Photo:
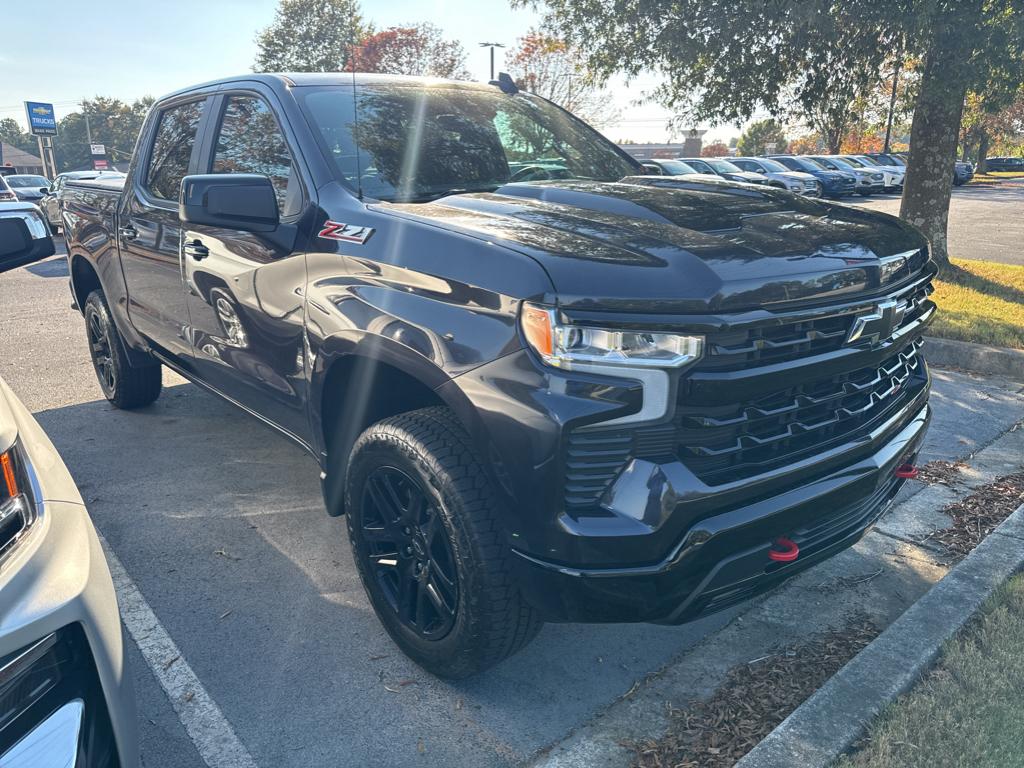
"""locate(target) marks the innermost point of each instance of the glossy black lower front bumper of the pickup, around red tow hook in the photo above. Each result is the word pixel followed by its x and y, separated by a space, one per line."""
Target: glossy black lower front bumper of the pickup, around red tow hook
pixel 723 560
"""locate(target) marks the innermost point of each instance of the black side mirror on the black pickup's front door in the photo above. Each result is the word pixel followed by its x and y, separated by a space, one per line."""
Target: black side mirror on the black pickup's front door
pixel 234 201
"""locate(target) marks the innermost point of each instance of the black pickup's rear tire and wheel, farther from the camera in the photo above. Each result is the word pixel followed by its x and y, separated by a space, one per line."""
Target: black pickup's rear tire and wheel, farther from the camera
pixel 125 386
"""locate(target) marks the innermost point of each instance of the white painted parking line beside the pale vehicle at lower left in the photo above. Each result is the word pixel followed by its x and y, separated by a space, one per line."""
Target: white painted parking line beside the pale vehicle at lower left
pixel 203 720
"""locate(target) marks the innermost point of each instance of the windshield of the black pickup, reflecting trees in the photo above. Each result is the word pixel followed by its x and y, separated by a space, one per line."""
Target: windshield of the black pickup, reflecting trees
pixel 414 144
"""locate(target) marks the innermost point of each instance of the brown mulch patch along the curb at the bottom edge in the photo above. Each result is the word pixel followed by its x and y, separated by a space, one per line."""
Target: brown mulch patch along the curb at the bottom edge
pixel 753 700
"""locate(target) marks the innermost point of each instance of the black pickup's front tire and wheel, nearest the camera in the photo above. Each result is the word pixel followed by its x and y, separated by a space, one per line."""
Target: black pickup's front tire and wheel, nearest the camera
pixel 423 522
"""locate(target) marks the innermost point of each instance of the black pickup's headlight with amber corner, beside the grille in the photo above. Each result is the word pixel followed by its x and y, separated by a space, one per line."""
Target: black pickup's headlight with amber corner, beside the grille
pixel 569 347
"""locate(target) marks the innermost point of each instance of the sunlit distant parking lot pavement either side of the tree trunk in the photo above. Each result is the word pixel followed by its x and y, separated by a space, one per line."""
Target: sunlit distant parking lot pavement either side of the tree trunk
pixel 986 221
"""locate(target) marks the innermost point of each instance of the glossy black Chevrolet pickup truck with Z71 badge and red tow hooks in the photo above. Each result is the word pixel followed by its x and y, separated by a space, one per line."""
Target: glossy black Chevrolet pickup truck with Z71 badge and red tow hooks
pixel 540 385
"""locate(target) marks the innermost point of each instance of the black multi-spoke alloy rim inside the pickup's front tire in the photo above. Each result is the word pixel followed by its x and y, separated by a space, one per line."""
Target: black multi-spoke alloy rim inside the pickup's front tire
pixel 410 552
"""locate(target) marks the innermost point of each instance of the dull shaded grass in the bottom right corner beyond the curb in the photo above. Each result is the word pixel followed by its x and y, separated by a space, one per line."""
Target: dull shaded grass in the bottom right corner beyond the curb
pixel 969 711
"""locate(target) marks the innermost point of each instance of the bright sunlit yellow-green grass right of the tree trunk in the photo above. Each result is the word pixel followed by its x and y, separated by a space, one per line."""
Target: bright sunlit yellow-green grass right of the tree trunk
pixel 984 303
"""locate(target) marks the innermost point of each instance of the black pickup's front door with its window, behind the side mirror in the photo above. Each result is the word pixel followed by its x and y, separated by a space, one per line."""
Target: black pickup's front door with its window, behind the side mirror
pixel 244 289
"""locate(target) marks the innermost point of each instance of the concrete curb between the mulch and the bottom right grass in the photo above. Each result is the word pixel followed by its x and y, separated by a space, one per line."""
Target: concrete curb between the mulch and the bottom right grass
pixel 836 716
